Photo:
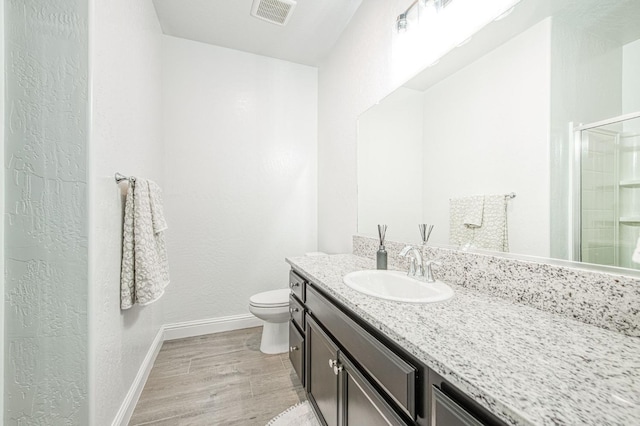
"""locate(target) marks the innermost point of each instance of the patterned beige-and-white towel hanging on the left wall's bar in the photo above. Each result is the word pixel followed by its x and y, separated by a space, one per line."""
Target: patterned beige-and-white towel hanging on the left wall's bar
pixel 145 269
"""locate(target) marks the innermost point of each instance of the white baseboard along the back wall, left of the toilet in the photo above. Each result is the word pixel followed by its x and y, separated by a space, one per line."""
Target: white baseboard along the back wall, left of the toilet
pixel 210 325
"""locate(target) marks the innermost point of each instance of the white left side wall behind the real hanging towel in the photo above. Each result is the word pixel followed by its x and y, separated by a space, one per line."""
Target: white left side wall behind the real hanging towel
pixel 126 137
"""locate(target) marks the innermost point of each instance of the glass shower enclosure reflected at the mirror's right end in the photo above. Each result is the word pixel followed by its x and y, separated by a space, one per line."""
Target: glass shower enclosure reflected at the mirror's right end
pixel 607 212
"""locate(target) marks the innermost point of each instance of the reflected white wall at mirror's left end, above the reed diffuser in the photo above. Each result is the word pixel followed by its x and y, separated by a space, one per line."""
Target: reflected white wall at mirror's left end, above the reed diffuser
pixel 390 146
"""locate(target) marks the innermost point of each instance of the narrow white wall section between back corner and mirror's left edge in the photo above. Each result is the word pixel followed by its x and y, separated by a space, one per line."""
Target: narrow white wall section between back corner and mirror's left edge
pixel 356 74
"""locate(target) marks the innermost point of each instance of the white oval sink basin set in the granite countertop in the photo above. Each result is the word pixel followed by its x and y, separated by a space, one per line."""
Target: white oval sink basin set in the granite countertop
pixel 395 285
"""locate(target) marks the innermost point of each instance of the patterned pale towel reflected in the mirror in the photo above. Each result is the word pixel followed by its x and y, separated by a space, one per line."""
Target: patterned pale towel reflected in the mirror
pixel 491 235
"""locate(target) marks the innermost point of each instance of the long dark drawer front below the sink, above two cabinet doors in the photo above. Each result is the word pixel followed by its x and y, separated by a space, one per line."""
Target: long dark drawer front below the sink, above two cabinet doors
pixel 388 370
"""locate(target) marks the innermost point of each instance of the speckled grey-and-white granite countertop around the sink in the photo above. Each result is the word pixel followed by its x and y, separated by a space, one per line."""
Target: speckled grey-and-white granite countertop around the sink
pixel 527 366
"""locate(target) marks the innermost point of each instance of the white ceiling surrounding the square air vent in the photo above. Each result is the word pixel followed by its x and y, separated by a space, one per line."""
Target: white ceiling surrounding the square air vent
pixel 311 32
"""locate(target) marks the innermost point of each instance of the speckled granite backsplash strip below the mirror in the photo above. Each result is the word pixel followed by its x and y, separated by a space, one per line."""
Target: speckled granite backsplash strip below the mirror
pixel 605 300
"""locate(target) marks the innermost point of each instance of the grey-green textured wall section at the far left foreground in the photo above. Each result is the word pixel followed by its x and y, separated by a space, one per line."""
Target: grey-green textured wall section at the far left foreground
pixel 45 212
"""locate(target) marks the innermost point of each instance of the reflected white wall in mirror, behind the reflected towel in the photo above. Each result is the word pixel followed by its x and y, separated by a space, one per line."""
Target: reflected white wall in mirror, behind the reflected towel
pixel 486 131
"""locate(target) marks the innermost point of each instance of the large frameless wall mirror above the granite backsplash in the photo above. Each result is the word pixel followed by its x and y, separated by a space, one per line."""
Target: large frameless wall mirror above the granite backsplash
pixel 543 104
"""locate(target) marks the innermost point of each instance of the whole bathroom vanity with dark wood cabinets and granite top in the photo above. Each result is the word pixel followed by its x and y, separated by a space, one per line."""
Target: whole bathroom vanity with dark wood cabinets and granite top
pixel 472 360
